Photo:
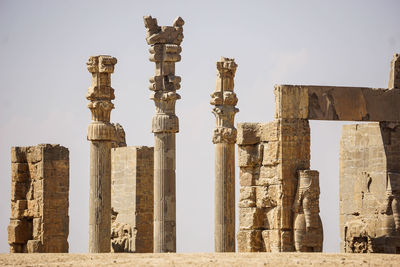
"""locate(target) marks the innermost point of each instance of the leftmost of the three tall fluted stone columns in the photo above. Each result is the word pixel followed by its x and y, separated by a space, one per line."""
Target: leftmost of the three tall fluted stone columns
pixel 100 134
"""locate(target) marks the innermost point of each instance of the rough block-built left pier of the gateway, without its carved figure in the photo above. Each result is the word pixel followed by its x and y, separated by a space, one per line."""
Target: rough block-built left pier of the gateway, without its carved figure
pixel 270 155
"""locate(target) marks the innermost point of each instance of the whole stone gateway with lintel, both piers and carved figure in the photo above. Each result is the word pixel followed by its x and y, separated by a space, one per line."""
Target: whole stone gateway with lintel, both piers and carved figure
pixel 274 161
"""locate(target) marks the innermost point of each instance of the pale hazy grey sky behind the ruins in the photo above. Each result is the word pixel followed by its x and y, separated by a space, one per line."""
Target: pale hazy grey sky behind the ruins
pixel 44 46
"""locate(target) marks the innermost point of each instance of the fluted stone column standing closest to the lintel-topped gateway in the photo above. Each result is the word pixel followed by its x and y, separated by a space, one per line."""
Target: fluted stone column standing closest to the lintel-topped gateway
pixel 224 139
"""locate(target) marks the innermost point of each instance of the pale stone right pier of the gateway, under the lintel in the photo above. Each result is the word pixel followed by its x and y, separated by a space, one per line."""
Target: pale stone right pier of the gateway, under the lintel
pixel 370 188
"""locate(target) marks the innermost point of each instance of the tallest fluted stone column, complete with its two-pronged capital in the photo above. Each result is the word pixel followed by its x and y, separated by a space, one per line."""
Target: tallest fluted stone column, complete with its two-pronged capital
pixel 164 50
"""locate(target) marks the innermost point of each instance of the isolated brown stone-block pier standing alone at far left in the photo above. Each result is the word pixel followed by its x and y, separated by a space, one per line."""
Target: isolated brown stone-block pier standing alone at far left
pixel 39 219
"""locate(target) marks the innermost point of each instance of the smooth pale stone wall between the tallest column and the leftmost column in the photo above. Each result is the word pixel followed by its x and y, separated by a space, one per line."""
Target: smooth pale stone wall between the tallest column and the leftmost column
pixel 132 199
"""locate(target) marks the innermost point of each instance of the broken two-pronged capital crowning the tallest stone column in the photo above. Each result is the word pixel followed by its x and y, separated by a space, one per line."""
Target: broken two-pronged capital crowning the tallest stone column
pixel 163 34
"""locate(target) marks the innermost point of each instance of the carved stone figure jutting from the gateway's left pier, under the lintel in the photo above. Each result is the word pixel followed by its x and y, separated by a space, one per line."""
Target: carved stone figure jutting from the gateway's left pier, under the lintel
pixel 308 233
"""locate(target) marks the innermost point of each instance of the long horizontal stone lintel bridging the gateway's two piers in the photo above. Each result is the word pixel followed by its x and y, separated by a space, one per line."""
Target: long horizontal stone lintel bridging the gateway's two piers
pixel 336 103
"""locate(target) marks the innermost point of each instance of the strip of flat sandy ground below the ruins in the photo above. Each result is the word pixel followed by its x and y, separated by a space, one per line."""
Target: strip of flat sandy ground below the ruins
pixel 201 259
